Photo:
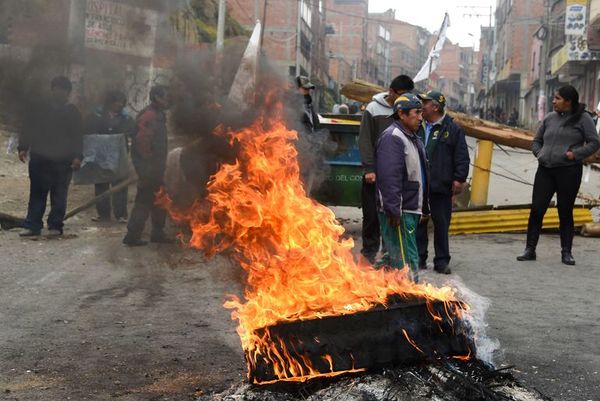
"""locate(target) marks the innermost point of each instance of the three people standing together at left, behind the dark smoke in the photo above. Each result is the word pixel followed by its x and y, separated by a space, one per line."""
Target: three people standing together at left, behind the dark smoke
pixel 55 138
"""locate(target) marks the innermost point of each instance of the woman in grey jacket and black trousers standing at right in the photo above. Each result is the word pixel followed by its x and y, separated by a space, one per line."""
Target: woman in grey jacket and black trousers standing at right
pixel 566 137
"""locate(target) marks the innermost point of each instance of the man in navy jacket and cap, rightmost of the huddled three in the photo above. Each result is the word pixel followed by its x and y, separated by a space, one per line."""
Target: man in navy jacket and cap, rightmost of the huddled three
pixel 448 158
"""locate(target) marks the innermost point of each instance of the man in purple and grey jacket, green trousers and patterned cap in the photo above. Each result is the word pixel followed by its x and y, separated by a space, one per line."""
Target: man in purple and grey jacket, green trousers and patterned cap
pixel 401 168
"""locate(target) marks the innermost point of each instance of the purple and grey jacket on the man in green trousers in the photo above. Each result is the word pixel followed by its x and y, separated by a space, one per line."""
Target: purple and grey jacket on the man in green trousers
pixel 401 168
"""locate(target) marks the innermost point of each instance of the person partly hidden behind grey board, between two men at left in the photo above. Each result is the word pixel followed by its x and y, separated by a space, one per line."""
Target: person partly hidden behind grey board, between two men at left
pixel 111 119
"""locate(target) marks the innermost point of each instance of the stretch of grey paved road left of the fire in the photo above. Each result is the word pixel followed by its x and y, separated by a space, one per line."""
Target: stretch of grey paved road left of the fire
pixel 87 318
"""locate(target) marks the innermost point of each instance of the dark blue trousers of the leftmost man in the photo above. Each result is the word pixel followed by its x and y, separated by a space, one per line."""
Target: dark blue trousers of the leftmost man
pixel 47 176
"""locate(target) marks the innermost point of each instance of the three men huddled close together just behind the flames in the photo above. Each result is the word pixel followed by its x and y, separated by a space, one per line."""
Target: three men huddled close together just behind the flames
pixel 415 159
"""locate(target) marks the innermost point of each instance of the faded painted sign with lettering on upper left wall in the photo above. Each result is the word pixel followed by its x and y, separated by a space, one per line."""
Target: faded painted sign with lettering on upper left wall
pixel 120 28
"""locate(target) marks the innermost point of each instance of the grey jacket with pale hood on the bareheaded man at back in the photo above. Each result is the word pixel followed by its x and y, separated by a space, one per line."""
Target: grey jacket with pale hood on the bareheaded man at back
pixel 375 120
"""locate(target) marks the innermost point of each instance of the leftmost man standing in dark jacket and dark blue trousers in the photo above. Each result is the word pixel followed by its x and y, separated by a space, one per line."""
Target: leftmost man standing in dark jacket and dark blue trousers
pixel 52 137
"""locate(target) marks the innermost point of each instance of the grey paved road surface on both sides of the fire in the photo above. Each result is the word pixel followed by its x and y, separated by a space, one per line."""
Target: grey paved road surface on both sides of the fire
pixel 85 318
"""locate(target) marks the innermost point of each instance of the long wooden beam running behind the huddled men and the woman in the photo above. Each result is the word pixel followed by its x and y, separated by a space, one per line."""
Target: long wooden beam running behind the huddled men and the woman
pixel 474 127
